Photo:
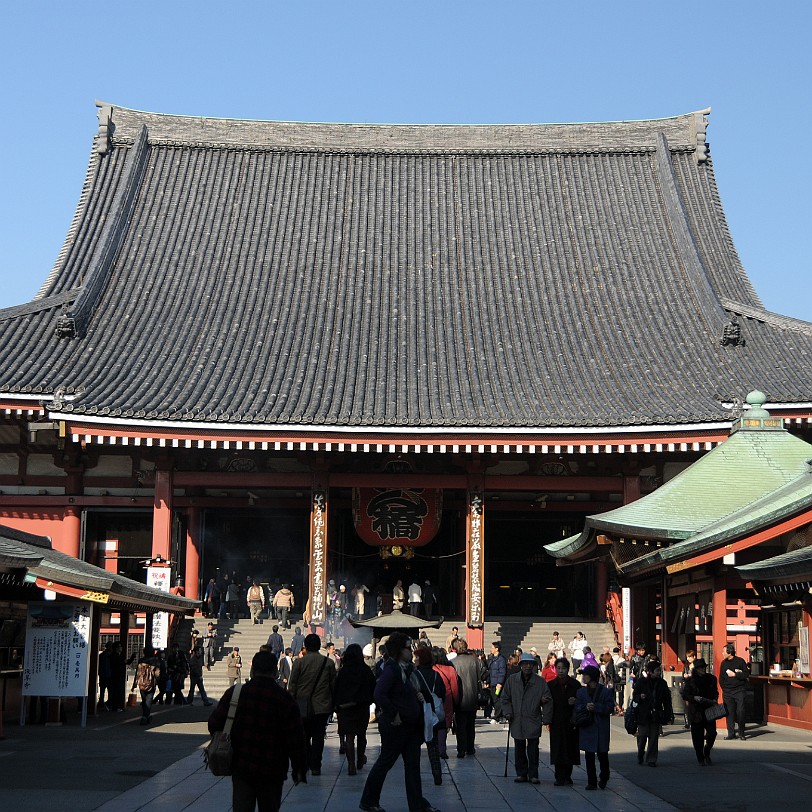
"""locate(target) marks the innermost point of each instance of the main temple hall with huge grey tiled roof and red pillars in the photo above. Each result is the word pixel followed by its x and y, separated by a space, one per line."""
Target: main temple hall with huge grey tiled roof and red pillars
pixel 367 353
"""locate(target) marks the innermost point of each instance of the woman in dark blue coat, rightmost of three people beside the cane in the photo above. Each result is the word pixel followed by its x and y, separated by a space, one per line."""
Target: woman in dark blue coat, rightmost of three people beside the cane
pixel 594 704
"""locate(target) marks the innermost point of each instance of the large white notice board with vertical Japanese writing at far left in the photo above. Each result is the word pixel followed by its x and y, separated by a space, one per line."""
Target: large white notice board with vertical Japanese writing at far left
pixel 57 648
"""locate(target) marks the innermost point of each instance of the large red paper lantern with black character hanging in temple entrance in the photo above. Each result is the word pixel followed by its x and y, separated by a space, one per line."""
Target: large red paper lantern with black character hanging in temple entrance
pixel 397 516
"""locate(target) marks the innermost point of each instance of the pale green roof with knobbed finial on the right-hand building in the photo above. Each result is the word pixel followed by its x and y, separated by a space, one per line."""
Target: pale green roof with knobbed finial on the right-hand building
pixel 756 479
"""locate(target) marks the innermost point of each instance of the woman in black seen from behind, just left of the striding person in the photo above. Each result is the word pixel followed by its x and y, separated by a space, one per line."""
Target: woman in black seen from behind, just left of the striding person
pixel 352 695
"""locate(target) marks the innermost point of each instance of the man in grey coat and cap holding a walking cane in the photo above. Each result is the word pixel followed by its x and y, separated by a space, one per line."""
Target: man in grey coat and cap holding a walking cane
pixel 527 704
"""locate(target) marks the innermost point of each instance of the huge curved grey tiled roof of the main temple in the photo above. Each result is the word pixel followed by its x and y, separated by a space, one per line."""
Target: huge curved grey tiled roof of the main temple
pixel 389 275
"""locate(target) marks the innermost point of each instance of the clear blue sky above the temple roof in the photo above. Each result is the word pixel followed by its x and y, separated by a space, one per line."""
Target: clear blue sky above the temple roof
pixel 418 62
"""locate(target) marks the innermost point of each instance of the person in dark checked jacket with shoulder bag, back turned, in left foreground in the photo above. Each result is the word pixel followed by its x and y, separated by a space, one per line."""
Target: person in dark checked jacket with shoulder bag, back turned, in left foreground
pixel 266 737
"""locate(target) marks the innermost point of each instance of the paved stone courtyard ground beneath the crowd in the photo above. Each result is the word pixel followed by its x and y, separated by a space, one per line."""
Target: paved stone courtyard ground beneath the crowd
pixel 117 766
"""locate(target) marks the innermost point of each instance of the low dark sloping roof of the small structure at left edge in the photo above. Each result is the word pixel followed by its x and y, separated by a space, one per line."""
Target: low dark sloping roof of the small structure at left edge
pixel 33 560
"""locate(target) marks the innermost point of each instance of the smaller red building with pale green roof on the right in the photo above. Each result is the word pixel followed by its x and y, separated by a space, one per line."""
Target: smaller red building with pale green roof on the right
pixel 721 553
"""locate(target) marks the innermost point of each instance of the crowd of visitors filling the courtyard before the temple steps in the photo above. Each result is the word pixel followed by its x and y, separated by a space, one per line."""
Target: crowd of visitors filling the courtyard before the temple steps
pixel 420 694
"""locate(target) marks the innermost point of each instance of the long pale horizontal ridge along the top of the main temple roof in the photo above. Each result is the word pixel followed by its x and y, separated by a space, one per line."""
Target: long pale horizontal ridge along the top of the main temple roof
pixel 686 131
